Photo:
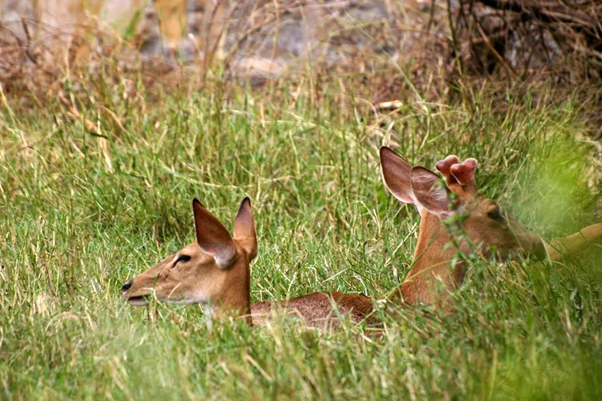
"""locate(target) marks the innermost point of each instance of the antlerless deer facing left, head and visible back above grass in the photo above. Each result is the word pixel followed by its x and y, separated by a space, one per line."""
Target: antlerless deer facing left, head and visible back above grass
pixel 215 271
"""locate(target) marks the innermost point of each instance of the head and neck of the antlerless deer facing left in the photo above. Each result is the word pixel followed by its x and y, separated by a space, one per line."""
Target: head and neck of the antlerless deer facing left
pixel 213 270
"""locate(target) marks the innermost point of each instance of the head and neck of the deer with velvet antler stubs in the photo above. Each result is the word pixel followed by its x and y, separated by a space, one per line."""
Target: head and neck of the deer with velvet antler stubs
pixel 452 213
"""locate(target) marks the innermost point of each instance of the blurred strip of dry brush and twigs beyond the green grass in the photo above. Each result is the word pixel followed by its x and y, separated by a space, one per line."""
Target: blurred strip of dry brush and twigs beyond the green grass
pixel 264 40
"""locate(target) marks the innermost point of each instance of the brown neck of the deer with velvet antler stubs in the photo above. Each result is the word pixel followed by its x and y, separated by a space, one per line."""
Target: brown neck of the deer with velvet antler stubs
pixel 432 263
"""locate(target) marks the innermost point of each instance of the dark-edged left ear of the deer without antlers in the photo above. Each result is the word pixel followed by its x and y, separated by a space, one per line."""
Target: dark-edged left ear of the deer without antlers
pixel 212 236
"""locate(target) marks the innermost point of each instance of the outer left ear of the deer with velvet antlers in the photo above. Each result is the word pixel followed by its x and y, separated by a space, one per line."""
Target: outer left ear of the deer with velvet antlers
pixel 397 174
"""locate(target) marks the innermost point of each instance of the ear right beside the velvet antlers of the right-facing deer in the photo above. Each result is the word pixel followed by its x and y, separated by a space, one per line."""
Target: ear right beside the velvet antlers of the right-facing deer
pixel 430 191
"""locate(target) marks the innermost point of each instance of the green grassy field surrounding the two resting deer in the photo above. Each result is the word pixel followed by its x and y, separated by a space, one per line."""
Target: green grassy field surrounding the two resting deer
pixel 88 202
